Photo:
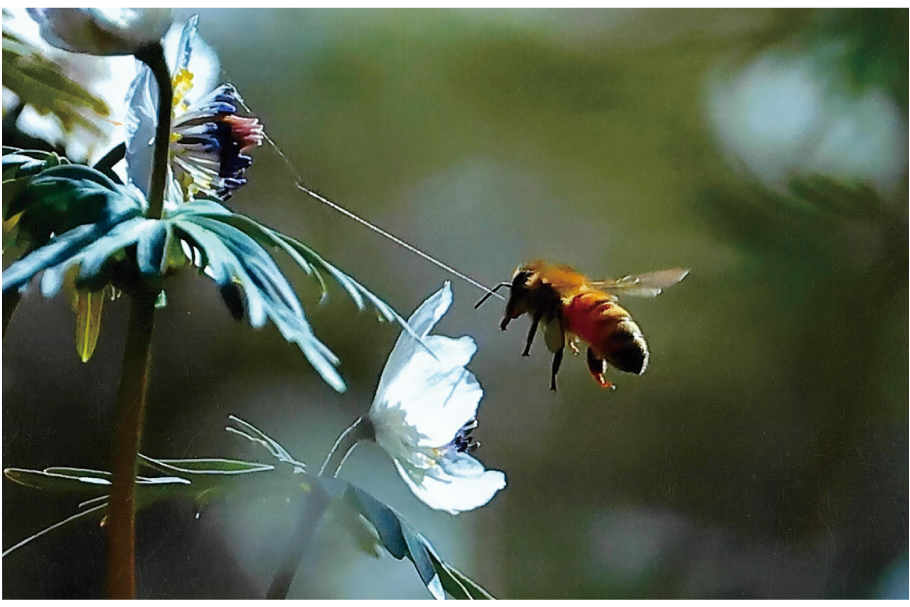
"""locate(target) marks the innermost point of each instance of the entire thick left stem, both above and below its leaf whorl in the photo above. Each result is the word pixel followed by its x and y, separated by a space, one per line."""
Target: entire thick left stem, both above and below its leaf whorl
pixel 130 407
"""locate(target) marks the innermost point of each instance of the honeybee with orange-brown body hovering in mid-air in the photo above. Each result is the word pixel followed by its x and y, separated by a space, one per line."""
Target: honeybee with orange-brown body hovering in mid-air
pixel 574 309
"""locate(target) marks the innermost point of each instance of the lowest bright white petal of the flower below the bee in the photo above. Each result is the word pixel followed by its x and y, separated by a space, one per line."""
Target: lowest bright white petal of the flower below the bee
pixel 454 494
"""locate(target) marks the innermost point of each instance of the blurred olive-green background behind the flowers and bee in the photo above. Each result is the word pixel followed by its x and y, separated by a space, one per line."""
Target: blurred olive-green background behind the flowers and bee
pixel 764 453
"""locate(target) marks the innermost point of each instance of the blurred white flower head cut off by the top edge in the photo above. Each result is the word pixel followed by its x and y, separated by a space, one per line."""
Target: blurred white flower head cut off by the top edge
pixel 102 31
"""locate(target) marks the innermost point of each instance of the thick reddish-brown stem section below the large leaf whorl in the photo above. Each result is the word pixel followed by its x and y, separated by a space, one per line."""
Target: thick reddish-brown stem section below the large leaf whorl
pixel 128 413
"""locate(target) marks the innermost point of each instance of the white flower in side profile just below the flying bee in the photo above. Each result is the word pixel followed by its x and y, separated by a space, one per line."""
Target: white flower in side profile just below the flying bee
pixel 424 412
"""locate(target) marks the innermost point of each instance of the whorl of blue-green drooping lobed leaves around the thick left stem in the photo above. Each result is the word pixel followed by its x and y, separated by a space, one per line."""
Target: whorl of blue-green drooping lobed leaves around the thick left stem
pixel 97 227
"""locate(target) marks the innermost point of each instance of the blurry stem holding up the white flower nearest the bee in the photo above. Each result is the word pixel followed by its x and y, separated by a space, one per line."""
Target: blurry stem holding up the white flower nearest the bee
pixel 315 505
